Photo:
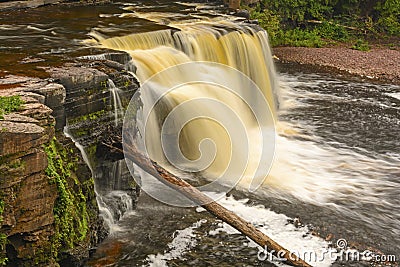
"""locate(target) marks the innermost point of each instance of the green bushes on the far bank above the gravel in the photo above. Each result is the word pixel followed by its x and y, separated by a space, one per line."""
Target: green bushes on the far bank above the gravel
pixel 316 23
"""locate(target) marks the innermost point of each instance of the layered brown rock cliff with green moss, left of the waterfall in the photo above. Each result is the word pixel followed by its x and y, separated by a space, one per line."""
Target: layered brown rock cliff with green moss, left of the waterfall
pixel 48 209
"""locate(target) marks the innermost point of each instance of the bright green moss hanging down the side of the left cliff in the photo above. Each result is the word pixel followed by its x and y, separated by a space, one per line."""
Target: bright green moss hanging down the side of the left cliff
pixel 70 214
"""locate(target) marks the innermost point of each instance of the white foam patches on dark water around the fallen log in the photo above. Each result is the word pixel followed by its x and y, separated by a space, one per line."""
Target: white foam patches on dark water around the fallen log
pixel 297 239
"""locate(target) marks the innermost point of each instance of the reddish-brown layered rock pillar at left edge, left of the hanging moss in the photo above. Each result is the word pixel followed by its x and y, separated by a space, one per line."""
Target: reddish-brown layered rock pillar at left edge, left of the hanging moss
pixel 27 195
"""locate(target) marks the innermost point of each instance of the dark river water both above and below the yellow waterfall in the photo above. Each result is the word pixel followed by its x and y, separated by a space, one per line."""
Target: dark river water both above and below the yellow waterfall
pixel 336 170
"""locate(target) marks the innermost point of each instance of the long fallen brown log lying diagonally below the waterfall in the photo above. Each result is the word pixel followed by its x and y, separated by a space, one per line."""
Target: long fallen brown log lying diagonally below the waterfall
pixel 214 208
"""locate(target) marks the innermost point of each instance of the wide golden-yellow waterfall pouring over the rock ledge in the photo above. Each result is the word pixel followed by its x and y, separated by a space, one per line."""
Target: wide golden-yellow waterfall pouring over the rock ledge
pixel 209 99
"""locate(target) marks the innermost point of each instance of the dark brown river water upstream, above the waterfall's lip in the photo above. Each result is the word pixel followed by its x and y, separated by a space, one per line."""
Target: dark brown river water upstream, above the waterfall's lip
pixel 52 35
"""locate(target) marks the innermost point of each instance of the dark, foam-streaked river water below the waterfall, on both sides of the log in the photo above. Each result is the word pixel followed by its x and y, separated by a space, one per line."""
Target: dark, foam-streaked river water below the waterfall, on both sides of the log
pixel 338 173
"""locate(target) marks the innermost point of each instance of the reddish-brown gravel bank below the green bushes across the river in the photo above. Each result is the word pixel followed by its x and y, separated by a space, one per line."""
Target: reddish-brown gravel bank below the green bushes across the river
pixel 380 64
